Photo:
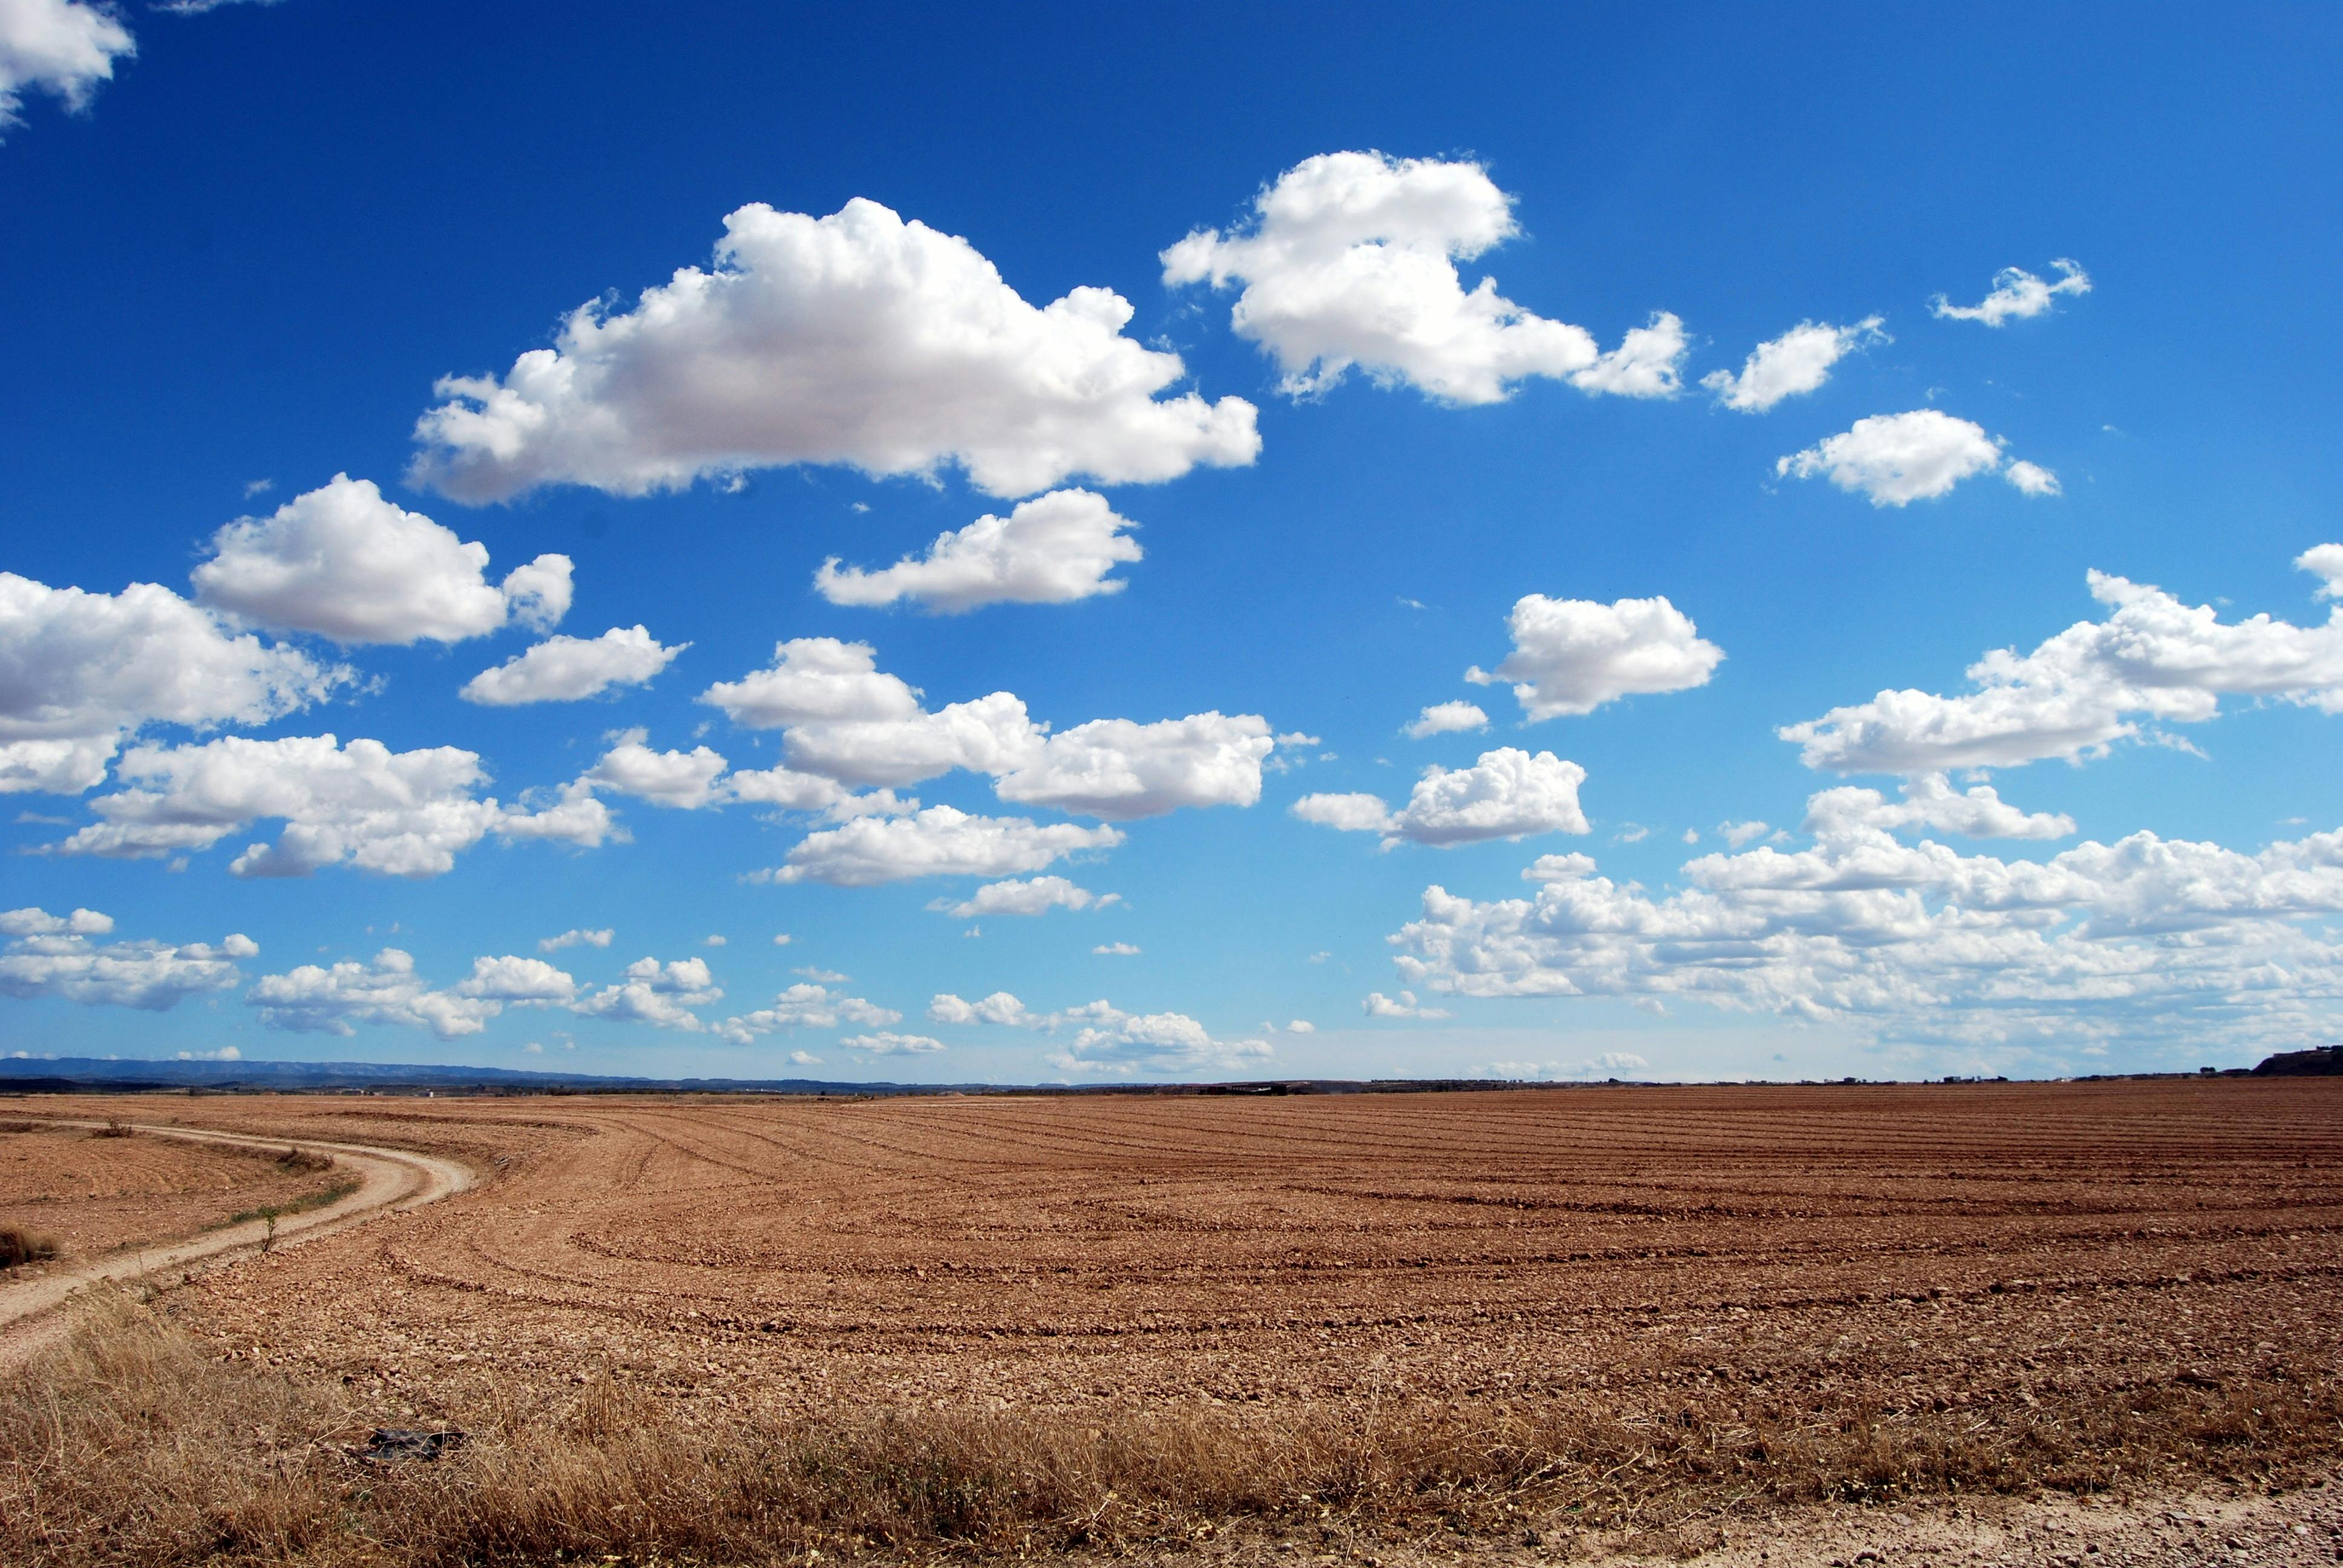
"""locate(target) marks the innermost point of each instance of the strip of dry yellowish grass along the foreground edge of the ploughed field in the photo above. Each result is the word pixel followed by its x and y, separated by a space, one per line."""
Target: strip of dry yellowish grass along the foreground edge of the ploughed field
pixel 130 1445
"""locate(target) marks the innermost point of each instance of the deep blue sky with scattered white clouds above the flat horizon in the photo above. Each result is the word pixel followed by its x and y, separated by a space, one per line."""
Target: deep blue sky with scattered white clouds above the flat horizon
pixel 1210 289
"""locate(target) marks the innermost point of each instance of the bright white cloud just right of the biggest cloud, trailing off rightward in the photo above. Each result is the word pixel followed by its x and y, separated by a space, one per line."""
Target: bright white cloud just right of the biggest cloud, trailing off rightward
pixel 1353 261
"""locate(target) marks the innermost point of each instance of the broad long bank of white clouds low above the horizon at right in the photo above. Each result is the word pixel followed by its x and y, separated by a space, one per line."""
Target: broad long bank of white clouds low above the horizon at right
pixel 2145 939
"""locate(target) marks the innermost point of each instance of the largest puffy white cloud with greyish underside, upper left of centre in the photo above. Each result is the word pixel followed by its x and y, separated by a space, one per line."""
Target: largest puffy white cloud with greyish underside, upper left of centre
pixel 854 339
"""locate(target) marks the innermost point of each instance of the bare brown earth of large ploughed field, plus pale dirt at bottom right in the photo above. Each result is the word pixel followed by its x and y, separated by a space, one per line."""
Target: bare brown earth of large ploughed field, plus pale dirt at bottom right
pixel 1700 1255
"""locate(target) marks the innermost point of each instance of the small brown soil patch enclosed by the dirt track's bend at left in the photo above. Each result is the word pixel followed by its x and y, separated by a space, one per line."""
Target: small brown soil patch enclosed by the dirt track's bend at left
pixel 100 1194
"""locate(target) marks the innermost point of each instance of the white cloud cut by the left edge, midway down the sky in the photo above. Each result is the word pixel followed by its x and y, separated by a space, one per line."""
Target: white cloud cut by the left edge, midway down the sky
pixel 83 671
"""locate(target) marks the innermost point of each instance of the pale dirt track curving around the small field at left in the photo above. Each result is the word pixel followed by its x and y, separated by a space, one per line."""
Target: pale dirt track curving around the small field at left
pixel 385 1180
